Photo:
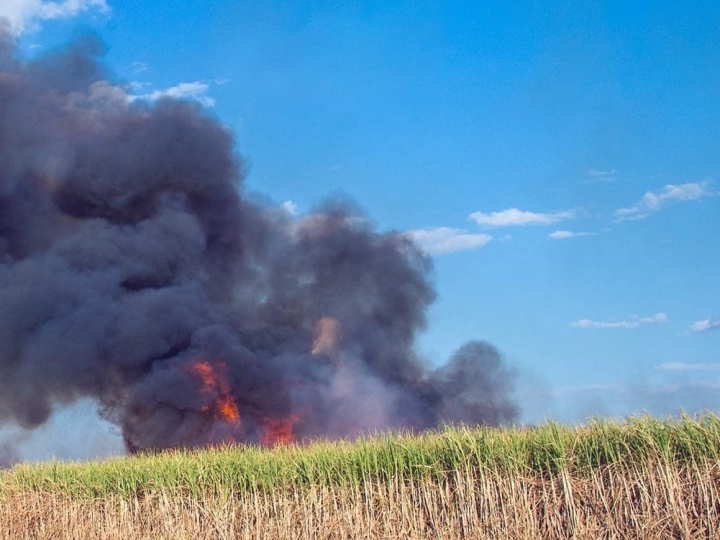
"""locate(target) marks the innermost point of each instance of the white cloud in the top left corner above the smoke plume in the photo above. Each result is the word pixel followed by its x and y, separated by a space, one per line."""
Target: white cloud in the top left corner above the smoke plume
pixel 24 14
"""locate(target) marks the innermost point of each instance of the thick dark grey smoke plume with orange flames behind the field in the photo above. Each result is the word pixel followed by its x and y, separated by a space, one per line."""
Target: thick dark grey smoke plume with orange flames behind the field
pixel 133 271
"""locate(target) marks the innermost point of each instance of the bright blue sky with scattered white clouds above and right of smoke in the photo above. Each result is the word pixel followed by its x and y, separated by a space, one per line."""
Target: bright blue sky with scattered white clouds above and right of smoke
pixel 560 160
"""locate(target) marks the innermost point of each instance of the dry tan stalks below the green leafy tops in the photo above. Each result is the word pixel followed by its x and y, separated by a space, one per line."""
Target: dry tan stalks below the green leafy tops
pixel 654 501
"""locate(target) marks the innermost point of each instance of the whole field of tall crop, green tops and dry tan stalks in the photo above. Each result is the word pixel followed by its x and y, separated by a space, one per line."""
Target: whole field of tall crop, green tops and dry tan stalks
pixel 643 478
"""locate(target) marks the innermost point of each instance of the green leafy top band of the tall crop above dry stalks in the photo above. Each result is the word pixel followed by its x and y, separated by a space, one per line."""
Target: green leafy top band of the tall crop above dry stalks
pixel 542 450
